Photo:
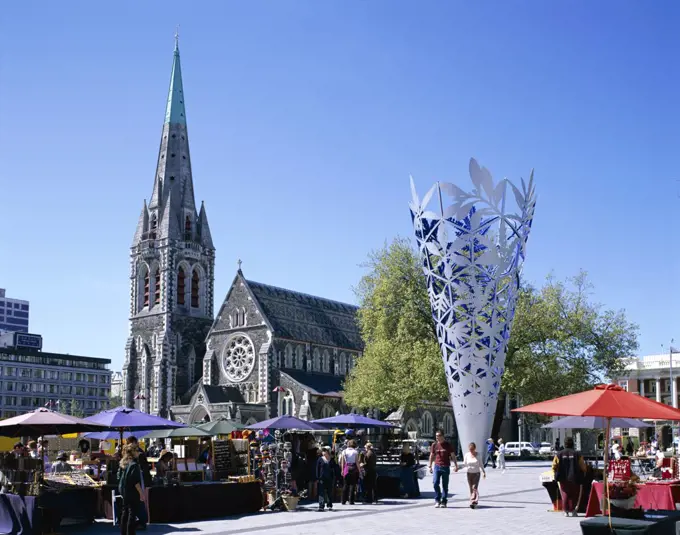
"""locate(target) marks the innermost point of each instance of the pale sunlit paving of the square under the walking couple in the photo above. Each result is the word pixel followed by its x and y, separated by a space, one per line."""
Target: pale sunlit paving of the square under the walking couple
pixel 514 502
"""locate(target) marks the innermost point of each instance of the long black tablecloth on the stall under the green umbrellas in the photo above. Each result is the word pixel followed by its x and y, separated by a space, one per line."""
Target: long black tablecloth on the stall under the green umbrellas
pixel 202 501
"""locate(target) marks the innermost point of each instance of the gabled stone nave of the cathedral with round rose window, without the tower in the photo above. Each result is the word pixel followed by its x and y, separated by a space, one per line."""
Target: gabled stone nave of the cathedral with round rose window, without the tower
pixel 273 351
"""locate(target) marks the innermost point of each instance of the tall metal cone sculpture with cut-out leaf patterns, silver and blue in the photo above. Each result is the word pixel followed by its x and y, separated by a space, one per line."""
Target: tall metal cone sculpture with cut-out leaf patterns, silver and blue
pixel 472 248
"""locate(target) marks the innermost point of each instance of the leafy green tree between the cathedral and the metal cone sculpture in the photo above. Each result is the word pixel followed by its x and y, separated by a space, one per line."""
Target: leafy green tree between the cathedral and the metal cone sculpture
pixel 401 364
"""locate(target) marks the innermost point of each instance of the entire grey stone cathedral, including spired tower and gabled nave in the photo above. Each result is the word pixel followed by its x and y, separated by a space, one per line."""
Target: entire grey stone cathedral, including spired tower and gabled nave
pixel 270 351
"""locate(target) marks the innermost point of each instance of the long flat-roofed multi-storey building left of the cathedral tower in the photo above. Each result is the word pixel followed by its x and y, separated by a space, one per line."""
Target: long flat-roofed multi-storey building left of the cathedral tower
pixel 30 379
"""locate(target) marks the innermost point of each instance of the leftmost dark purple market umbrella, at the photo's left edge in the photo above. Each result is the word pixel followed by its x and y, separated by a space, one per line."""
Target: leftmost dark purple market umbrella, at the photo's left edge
pixel 45 422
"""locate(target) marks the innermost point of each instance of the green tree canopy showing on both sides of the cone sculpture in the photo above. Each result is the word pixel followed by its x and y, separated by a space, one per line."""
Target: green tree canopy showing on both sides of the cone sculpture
pixel 561 341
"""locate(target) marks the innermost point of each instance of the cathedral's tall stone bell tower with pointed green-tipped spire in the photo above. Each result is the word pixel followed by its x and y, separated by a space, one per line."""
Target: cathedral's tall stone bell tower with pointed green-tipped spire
pixel 171 274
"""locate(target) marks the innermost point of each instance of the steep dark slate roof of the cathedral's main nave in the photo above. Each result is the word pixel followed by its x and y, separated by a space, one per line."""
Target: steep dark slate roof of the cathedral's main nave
pixel 303 317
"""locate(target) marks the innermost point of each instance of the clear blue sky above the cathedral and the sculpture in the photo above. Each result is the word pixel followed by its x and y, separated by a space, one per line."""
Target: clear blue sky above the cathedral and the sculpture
pixel 306 119
